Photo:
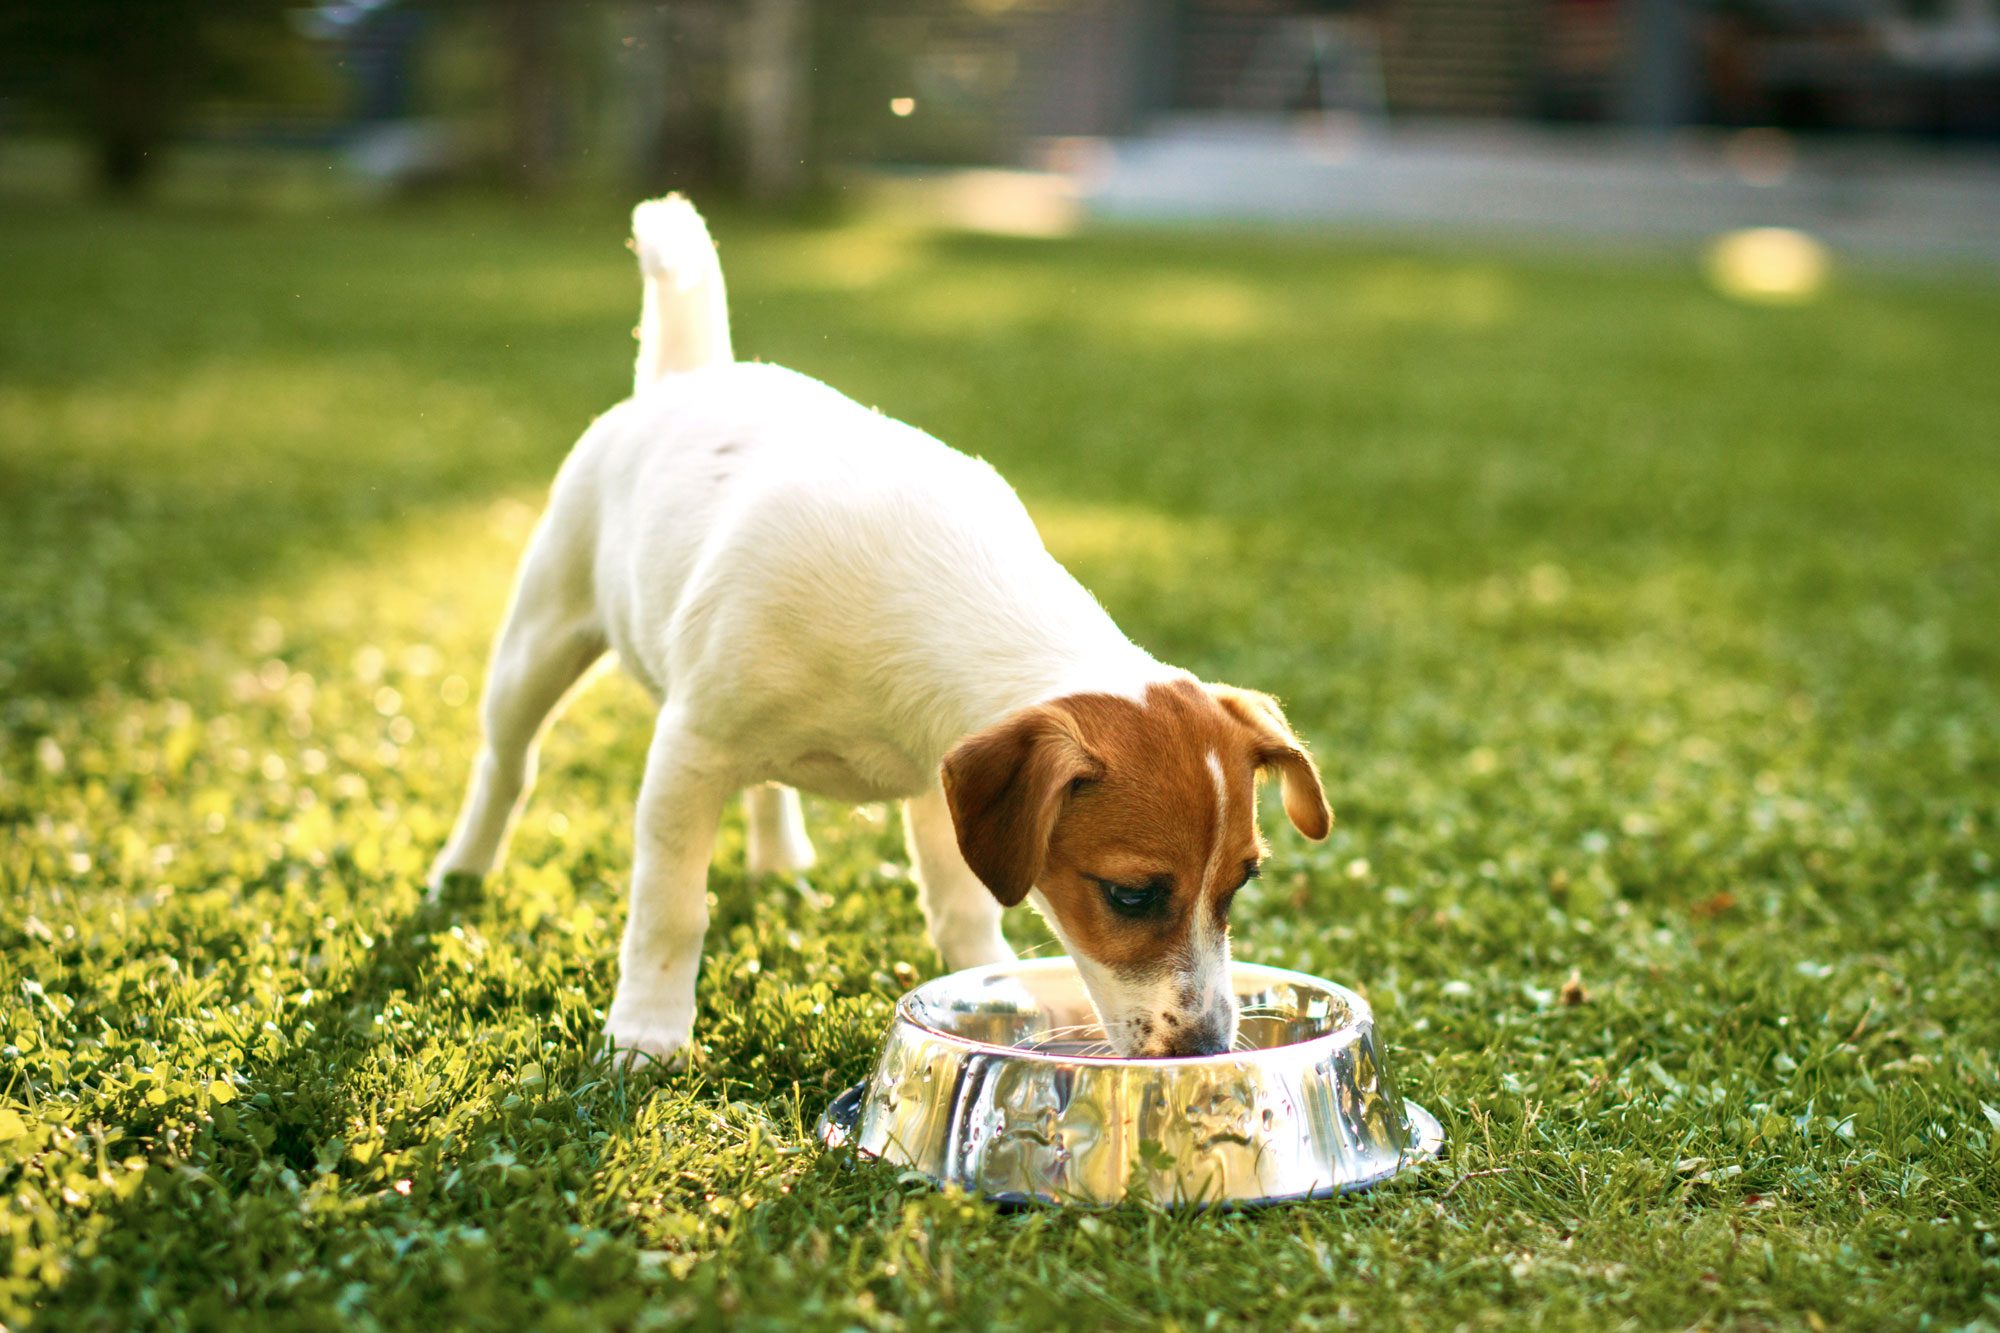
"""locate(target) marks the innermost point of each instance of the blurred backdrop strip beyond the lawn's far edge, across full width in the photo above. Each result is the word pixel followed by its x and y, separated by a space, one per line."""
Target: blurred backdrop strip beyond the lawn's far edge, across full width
pixel 1867 123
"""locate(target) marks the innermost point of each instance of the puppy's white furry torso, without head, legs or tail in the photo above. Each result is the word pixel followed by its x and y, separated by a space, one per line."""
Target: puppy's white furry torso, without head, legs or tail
pixel 831 595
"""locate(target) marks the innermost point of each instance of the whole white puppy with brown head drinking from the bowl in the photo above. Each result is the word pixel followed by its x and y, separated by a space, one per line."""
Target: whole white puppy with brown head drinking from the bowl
pixel 825 599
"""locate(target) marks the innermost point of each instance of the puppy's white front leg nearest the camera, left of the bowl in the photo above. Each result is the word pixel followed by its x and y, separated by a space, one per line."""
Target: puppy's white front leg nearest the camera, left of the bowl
pixel 679 806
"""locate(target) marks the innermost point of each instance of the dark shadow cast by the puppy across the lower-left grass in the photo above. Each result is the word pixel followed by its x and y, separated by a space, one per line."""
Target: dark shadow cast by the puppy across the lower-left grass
pixel 189 1242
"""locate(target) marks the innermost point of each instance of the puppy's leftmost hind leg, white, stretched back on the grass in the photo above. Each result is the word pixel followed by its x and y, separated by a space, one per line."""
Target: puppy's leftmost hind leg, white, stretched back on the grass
pixel 547 645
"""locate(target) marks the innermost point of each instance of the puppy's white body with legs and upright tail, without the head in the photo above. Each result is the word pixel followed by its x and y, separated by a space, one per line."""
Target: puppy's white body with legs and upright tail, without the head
pixel 819 597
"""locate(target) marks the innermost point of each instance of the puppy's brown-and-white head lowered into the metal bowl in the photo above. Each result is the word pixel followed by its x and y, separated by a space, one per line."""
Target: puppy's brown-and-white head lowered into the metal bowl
pixel 1135 822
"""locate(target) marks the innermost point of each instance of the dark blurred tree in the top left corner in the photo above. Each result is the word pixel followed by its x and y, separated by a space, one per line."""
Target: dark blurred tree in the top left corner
pixel 127 73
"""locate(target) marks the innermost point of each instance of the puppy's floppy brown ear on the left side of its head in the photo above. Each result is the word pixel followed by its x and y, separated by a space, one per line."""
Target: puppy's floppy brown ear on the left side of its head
pixel 1007 786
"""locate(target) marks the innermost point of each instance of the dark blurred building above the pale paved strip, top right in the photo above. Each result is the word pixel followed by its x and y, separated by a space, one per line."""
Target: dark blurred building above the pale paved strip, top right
pixel 1109 67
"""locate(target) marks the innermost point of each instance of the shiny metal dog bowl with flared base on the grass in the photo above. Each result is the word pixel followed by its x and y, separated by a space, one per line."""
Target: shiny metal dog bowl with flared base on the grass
pixel 999 1080
